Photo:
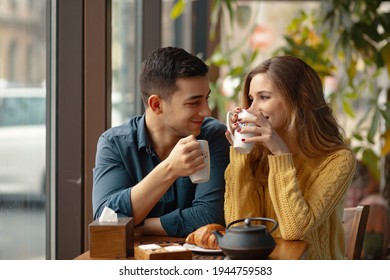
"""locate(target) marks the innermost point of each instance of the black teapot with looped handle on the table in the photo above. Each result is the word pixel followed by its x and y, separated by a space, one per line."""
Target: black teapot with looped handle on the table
pixel 247 242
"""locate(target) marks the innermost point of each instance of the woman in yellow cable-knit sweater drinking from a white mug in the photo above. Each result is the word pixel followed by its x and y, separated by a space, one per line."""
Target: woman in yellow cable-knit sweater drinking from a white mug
pixel 300 168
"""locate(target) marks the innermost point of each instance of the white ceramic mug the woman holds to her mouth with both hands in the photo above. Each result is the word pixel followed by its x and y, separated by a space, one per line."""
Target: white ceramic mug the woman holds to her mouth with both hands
pixel 238 144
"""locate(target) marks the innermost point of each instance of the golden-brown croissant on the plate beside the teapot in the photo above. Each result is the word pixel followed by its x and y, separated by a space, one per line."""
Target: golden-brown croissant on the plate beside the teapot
pixel 203 236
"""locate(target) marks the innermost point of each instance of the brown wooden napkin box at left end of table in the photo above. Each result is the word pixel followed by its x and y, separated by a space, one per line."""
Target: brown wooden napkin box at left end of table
pixel 111 239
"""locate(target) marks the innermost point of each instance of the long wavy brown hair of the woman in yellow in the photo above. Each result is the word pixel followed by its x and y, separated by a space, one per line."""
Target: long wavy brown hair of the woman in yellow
pixel 311 124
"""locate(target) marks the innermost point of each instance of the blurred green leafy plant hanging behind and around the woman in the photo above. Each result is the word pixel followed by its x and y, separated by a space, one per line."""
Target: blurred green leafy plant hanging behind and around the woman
pixel 349 40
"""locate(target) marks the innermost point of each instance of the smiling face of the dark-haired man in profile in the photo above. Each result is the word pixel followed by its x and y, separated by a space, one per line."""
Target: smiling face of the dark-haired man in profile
pixel 185 111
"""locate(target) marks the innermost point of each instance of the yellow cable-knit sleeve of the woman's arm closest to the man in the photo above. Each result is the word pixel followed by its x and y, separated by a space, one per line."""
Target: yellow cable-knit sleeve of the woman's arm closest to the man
pixel 242 197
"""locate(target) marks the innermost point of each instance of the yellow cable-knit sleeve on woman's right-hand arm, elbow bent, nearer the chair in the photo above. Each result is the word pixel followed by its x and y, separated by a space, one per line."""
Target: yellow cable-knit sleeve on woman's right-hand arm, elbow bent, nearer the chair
pixel 301 206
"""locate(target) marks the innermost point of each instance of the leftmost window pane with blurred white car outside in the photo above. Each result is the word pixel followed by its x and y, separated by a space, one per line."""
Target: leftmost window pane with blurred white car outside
pixel 22 129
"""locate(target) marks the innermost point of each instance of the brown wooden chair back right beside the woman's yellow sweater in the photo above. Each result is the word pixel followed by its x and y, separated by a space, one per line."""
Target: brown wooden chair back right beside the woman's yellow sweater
pixel 354 223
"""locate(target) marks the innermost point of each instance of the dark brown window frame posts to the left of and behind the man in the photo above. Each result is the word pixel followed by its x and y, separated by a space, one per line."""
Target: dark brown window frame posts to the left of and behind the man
pixel 83 109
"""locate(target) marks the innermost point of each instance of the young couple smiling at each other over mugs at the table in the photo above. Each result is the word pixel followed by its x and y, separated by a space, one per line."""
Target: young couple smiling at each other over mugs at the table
pixel 297 174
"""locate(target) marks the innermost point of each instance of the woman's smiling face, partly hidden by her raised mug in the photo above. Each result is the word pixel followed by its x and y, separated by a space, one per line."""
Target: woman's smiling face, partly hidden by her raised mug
pixel 267 99
